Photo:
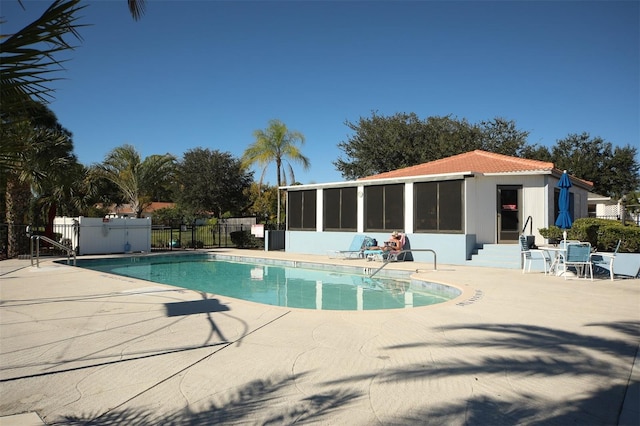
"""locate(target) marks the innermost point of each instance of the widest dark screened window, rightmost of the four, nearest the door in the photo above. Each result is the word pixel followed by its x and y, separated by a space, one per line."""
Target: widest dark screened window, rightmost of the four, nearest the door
pixel 438 206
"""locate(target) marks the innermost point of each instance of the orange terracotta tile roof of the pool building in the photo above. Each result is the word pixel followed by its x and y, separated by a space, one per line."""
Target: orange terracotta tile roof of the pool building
pixel 477 161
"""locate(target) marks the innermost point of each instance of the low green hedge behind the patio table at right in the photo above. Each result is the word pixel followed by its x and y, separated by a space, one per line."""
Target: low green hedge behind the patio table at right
pixel 603 234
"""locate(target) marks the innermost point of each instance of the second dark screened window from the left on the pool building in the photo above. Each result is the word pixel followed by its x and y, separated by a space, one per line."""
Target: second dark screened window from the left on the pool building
pixel 340 209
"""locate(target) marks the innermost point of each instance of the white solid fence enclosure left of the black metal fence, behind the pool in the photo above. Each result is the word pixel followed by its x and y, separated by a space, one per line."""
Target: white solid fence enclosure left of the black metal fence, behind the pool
pixel 91 235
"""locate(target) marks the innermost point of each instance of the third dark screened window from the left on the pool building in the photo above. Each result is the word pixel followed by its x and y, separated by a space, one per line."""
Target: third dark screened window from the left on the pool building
pixel 384 207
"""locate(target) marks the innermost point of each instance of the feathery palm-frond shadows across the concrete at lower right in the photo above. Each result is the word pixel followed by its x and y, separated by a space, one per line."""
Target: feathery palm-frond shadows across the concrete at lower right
pixel 539 352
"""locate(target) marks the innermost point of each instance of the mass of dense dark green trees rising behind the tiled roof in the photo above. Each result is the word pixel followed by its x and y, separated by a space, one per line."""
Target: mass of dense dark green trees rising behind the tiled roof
pixel 382 143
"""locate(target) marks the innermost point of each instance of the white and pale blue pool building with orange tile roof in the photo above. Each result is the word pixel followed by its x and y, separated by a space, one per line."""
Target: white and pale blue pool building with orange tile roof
pixel 456 206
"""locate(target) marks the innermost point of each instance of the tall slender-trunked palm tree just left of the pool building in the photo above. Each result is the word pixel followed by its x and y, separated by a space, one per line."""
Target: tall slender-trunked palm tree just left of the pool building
pixel 276 144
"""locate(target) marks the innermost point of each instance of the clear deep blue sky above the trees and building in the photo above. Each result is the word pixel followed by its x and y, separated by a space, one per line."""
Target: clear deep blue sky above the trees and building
pixel 208 73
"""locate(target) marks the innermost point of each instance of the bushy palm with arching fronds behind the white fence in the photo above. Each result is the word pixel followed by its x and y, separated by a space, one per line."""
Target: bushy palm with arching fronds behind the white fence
pixel 135 178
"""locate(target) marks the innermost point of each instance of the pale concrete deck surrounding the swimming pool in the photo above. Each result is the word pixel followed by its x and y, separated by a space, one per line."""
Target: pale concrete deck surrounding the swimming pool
pixel 80 346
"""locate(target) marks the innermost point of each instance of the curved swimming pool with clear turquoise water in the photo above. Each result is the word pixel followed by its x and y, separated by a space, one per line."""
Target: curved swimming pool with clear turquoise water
pixel 281 284
